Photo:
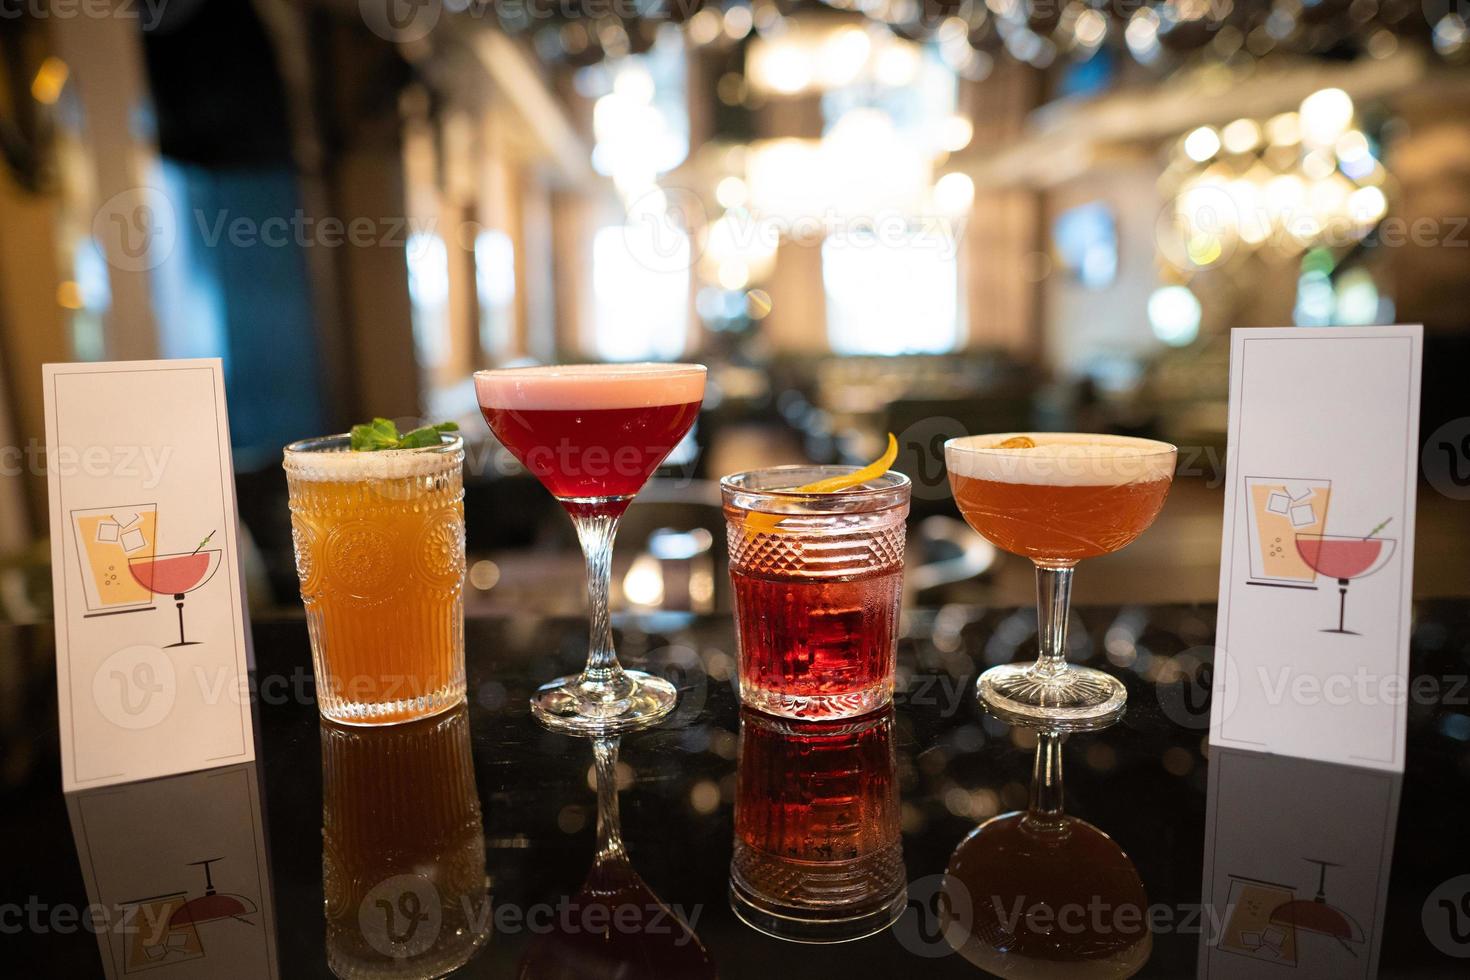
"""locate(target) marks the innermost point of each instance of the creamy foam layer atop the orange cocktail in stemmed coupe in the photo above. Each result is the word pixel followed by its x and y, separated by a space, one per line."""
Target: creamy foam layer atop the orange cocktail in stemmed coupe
pixel 1062 459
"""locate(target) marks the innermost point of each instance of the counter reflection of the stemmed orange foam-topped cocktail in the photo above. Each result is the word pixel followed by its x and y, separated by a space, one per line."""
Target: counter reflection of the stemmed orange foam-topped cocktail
pixel 1040 894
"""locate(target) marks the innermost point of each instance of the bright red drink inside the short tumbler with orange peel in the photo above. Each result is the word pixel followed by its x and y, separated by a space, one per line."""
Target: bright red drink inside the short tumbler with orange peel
pixel 825 640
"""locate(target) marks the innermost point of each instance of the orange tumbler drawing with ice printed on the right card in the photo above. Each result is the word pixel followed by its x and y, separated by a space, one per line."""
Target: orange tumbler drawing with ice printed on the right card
pixel 1278 511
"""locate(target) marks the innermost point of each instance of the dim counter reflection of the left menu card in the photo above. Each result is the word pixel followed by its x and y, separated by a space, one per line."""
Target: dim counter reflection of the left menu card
pixel 180 872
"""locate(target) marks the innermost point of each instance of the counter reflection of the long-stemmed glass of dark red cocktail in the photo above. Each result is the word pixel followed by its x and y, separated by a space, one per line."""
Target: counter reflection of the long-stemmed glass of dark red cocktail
pixel 615 926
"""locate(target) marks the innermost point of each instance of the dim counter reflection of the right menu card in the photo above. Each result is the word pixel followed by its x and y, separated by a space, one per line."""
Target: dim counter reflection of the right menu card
pixel 1296 868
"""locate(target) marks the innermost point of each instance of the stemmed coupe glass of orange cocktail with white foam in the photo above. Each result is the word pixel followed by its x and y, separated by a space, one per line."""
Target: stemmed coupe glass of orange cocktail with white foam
pixel 1068 497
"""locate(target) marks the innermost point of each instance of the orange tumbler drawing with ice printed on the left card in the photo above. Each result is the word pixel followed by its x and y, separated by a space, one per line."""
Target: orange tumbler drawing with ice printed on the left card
pixel 108 540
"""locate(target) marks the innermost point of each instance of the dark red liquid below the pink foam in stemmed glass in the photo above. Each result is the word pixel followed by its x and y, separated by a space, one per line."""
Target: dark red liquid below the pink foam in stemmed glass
pixel 592 452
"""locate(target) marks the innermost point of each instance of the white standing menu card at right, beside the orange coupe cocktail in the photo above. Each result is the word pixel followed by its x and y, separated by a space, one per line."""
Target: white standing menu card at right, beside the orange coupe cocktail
pixel 1318 553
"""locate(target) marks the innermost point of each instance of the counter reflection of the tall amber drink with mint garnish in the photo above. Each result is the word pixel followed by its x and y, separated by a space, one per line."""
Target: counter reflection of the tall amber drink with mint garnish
pixel 404 851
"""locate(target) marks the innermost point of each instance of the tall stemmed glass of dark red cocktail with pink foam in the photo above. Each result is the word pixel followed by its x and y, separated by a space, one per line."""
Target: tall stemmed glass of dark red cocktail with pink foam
pixel 593 436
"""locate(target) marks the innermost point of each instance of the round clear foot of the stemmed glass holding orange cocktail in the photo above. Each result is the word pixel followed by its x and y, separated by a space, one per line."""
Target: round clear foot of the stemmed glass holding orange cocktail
pixel 1077 699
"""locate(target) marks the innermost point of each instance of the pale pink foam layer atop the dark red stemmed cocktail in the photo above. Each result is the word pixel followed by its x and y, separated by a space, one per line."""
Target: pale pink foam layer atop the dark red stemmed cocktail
pixel 590 387
